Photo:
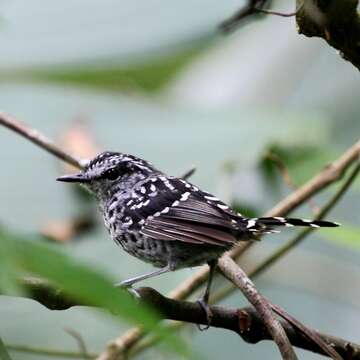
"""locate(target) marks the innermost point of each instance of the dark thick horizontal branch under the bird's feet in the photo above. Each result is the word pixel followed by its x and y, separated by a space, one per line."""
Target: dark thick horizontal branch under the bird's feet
pixel 246 322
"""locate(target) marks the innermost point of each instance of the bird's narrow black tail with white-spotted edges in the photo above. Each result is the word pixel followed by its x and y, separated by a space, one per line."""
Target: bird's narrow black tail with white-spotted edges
pixel 265 225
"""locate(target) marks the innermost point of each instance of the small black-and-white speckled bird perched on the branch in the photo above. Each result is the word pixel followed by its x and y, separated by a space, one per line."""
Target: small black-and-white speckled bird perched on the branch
pixel 166 220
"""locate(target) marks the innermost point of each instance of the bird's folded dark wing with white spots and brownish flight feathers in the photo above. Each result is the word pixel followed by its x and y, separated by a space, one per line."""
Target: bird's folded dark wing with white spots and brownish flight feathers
pixel 173 209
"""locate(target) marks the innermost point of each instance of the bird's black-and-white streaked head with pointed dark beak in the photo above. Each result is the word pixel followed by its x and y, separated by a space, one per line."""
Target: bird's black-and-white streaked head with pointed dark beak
pixel 110 172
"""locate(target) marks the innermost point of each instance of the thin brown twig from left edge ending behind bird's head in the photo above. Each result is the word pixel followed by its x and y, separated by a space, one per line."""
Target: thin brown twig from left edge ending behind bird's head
pixel 39 139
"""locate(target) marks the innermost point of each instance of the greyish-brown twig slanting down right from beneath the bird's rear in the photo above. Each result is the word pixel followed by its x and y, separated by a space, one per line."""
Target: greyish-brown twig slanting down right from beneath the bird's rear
pixel 238 277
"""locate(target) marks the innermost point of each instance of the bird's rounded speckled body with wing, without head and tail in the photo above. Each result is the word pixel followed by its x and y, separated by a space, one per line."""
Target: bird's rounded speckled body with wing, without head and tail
pixel 165 219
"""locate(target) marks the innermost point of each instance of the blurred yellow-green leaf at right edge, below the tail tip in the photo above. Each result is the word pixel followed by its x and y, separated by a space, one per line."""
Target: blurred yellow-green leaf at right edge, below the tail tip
pixel 345 235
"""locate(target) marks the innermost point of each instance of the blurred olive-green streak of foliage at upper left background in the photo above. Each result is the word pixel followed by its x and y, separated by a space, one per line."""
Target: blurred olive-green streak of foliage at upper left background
pixel 149 75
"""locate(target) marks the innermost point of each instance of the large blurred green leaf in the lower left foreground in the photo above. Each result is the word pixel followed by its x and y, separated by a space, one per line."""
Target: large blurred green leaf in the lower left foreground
pixel 79 281
